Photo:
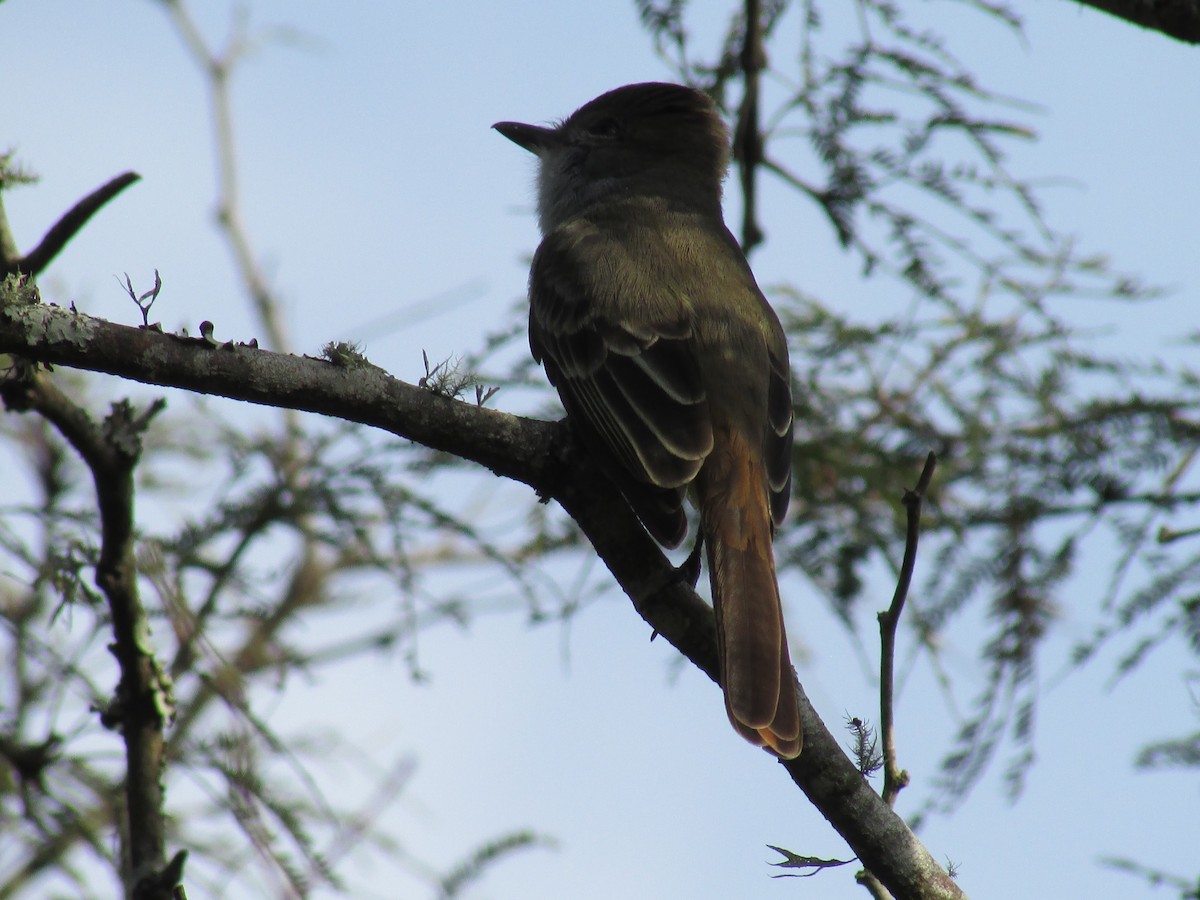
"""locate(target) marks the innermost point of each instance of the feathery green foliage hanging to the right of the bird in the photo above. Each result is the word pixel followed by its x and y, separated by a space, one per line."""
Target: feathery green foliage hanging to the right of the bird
pixel 1051 449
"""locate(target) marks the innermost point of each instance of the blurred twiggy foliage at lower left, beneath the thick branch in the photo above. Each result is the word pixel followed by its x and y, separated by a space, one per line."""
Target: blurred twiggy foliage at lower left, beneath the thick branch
pixel 315 527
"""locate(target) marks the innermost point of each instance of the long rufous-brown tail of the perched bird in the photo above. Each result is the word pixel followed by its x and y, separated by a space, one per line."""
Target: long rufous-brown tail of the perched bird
pixel 757 670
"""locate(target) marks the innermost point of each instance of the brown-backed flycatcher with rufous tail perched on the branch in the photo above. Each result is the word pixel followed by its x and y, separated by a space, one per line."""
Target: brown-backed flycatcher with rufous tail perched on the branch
pixel 671 364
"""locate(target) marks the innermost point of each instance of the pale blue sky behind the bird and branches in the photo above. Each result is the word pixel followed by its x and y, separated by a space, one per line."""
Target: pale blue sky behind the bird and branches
pixel 371 183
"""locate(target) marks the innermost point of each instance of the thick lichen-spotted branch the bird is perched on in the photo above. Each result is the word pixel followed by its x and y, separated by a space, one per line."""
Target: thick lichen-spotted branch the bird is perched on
pixel 539 454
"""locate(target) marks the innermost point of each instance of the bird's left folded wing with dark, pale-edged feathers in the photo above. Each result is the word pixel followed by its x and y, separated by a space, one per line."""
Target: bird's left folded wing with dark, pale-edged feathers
pixel 631 383
